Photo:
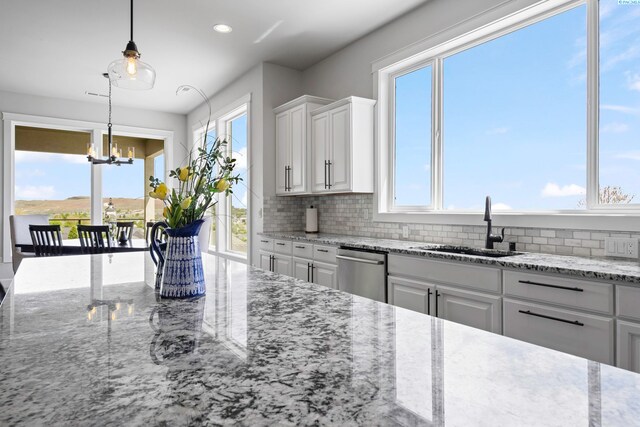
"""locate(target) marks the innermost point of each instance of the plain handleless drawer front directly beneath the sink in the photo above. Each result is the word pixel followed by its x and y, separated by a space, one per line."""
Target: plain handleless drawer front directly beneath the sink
pixel 453 273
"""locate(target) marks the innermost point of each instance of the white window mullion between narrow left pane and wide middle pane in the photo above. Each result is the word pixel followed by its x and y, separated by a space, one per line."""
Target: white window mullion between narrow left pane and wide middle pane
pixel 436 137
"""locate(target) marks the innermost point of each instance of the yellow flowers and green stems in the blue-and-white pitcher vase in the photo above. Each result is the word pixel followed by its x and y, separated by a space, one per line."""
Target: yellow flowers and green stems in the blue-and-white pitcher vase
pixel 207 173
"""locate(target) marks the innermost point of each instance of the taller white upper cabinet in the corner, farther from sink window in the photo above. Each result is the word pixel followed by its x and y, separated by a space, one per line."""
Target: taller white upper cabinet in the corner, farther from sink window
pixel 292 144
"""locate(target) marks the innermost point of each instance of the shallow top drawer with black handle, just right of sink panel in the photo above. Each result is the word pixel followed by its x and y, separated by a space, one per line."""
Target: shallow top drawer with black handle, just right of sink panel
pixel 572 293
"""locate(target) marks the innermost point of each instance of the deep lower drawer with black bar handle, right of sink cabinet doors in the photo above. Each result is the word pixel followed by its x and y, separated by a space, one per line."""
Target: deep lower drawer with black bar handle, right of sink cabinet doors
pixel 583 335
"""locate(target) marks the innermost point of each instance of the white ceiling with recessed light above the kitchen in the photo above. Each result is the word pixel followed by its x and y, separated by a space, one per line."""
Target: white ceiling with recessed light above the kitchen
pixel 60 48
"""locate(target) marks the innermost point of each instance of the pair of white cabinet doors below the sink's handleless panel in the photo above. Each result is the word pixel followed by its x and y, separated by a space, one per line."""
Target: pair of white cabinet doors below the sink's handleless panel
pixel 478 310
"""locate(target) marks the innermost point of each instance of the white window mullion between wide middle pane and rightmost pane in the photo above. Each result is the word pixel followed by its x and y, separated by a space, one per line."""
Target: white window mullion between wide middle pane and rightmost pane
pixel 593 178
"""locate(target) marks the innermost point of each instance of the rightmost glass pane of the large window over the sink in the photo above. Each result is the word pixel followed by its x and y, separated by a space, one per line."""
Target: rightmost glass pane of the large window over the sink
pixel 619 130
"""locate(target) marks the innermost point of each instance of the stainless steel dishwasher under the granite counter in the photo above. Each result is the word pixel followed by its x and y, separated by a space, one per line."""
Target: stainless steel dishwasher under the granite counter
pixel 362 272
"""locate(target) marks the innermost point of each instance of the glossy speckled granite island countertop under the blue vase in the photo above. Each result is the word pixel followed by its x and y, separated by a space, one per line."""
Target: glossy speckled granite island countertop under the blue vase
pixel 264 349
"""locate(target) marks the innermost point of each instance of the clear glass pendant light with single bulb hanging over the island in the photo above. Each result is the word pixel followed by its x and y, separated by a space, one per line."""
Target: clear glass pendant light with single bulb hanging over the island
pixel 129 72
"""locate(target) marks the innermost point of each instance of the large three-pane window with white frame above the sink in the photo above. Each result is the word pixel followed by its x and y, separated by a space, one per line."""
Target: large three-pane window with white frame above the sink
pixel 504 111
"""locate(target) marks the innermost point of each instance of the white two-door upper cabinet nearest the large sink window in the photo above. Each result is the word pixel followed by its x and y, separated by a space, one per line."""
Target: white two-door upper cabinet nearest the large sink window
pixel 342 146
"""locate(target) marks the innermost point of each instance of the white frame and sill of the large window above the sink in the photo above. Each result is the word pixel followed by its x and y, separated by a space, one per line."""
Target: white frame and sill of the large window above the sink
pixel 433 51
